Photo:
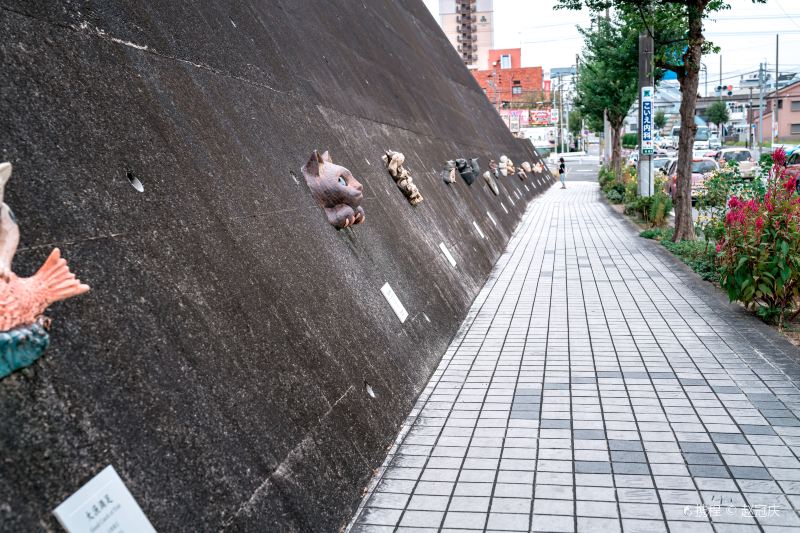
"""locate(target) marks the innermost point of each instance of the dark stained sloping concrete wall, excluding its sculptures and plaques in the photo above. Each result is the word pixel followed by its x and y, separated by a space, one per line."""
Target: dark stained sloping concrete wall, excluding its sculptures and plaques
pixel 219 362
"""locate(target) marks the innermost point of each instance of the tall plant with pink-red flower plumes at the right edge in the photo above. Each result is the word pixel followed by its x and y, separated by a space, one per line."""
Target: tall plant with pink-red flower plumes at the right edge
pixel 759 250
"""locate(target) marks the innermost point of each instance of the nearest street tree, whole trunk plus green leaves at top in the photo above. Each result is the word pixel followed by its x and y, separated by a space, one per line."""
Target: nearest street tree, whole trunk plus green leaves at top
pixel 681 55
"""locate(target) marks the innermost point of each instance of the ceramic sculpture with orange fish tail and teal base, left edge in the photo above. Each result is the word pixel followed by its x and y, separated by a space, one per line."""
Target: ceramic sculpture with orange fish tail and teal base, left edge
pixel 23 329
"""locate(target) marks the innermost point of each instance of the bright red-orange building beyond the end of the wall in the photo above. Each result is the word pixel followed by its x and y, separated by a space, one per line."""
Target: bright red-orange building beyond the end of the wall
pixel 506 82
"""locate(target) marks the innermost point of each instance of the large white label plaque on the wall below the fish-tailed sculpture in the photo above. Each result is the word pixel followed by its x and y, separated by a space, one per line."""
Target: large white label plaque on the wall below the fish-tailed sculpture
pixel 103 505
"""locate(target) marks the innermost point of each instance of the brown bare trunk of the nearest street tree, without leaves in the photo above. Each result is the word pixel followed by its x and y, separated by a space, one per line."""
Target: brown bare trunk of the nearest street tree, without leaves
pixel 684 227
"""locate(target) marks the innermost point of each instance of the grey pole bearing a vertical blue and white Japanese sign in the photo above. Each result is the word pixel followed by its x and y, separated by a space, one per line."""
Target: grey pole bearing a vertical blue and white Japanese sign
pixel 646 97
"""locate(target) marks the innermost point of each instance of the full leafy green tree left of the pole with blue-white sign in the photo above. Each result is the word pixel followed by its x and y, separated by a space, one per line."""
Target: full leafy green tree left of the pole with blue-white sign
pixel 608 81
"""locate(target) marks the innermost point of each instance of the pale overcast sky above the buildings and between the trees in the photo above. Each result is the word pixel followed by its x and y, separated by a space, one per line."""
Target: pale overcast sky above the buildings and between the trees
pixel 746 34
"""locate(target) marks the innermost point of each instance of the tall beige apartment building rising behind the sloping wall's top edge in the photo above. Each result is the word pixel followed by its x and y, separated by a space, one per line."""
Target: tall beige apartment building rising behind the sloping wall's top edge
pixel 468 25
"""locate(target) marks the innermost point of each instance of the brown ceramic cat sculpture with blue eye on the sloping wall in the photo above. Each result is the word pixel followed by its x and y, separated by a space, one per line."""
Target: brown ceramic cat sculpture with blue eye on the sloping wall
pixel 336 190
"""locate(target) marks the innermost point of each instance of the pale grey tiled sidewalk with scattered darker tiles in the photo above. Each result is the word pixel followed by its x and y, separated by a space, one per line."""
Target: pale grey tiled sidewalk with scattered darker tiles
pixel 597 385
